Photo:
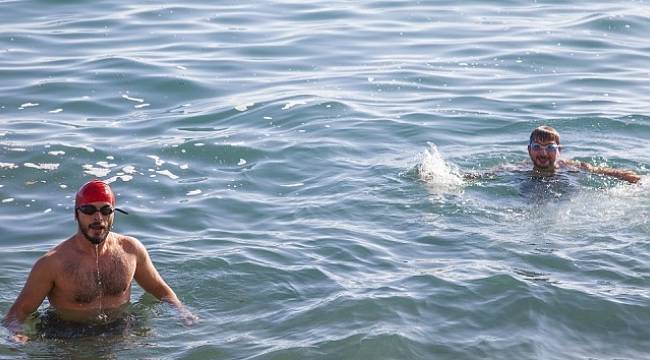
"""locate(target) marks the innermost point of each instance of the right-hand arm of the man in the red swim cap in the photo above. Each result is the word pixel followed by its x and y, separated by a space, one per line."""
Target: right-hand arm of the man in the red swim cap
pixel 150 280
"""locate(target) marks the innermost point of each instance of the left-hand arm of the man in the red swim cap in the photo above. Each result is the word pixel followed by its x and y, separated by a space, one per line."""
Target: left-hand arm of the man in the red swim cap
pixel 39 283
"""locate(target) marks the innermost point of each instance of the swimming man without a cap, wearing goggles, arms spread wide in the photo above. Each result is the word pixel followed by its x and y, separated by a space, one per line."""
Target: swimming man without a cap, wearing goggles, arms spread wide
pixel 544 151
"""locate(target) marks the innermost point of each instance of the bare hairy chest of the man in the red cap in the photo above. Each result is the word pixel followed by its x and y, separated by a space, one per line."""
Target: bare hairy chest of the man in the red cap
pixel 84 280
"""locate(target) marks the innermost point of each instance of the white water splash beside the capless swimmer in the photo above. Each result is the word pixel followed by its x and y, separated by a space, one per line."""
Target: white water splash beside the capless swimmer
pixel 433 170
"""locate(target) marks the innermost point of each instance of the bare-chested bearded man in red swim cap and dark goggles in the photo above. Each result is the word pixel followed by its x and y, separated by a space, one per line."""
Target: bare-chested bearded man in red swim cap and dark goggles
pixel 89 275
